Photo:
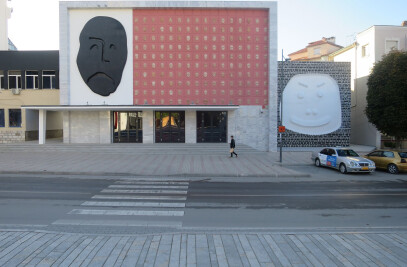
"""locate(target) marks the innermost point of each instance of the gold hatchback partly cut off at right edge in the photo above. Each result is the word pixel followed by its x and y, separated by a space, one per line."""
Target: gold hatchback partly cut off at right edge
pixel 390 160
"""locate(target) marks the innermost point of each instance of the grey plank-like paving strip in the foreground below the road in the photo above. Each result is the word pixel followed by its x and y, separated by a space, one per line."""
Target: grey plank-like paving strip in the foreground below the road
pixel 22 248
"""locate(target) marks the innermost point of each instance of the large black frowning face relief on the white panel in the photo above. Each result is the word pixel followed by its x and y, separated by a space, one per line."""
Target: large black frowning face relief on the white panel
pixel 102 54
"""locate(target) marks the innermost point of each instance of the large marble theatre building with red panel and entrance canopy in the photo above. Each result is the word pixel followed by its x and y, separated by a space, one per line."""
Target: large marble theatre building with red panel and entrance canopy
pixel 168 72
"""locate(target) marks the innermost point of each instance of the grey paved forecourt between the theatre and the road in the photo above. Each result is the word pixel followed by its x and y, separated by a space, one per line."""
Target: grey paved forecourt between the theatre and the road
pixel 191 160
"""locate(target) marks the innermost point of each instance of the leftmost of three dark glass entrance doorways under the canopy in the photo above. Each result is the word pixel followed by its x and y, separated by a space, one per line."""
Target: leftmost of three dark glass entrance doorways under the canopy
pixel 127 127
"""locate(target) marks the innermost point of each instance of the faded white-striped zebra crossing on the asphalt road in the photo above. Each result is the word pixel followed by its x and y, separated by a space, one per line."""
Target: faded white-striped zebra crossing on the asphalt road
pixel 133 203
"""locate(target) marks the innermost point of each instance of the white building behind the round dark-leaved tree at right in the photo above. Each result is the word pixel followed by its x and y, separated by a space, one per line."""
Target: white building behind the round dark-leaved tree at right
pixel 369 48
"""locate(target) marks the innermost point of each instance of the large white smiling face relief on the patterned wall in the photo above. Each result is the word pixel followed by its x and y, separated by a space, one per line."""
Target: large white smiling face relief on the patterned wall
pixel 311 104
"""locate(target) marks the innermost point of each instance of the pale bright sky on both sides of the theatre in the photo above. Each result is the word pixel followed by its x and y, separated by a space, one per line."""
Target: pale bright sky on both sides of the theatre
pixel 34 23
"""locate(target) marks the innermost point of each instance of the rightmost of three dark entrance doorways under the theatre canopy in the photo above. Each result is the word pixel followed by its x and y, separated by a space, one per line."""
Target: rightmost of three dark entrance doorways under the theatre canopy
pixel 211 126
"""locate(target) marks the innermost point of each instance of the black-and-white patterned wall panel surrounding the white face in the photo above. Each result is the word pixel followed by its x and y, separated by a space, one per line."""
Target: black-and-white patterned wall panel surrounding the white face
pixel 341 73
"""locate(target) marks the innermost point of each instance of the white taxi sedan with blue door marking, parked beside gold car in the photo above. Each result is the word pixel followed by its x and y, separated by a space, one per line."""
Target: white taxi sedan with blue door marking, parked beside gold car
pixel 343 159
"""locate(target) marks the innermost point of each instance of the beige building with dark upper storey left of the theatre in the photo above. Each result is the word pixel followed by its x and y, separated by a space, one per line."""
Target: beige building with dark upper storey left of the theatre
pixel 28 78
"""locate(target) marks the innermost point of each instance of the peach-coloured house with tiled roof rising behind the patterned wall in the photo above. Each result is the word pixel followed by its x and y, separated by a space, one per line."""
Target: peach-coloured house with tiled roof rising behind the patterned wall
pixel 316 51
